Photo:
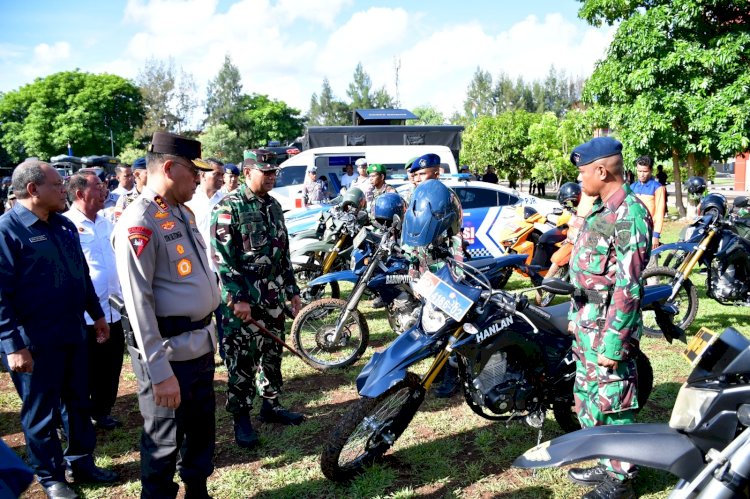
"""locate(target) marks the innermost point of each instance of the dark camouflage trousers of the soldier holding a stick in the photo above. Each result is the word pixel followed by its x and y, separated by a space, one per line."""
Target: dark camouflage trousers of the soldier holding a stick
pixel 253 360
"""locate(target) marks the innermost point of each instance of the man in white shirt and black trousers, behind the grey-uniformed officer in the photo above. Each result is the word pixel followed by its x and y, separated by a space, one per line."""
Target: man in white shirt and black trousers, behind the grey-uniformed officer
pixel 87 193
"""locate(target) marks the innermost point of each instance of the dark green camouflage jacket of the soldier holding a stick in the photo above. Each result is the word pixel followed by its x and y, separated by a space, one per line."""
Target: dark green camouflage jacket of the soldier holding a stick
pixel 252 250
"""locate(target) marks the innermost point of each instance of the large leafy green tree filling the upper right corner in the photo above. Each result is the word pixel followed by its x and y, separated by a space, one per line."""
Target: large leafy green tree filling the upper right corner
pixel 675 81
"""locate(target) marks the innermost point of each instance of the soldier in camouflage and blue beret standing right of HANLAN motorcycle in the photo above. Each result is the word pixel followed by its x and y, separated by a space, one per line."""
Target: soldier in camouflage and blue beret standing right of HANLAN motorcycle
pixel 608 257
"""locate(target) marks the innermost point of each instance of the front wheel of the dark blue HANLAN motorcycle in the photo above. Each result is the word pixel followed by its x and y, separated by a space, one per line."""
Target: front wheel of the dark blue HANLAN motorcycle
pixel 369 429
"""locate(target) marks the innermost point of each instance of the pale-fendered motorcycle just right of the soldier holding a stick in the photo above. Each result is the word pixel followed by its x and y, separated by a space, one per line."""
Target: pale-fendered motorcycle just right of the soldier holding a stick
pixel 326 248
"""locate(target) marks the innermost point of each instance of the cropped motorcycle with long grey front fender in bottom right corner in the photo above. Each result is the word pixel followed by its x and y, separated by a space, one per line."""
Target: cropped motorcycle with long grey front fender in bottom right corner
pixel 706 443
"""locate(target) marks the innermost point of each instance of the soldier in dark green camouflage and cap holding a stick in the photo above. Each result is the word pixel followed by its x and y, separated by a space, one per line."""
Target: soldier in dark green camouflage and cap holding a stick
pixel 252 256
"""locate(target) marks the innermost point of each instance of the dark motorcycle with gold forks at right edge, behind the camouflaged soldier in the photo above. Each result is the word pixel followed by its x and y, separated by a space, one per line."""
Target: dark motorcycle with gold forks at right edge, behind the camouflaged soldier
pixel 712 241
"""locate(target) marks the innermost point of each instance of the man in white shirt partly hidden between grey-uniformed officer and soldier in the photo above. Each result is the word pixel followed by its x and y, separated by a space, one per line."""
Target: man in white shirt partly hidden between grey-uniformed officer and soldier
pixel 207 195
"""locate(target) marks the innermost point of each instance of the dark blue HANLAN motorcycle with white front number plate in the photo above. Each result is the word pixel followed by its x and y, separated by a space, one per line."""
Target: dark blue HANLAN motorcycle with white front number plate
pixel 515 359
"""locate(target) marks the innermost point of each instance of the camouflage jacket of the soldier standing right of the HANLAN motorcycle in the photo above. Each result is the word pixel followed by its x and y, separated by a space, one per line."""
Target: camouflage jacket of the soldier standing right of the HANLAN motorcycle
pixel 609 255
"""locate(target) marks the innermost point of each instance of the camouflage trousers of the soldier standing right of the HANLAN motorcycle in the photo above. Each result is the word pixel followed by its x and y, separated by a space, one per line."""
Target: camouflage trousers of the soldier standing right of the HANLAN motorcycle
pixel 604 396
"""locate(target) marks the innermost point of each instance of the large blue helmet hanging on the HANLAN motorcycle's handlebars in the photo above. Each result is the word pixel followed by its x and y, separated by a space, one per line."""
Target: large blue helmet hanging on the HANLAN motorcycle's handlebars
pixel 434 213
